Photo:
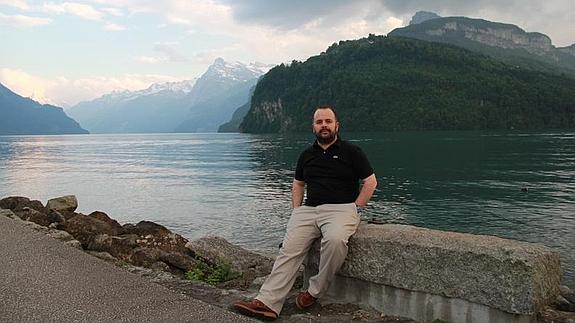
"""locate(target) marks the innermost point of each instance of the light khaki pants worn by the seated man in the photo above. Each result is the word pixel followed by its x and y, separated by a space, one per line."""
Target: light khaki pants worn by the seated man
pixel 335 223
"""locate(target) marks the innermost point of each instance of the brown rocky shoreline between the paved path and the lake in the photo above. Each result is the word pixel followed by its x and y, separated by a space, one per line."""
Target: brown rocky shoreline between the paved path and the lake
pixel 155 253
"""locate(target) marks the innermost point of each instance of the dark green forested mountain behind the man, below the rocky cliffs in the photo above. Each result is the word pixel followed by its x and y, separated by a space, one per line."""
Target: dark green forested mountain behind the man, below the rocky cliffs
pixel 383 83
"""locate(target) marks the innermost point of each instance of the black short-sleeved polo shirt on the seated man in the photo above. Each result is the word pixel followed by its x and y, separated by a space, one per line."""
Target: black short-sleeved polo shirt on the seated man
pixel 332 176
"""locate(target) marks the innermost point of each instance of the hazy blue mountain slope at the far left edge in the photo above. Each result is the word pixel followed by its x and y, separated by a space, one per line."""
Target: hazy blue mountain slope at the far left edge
pixel 23 116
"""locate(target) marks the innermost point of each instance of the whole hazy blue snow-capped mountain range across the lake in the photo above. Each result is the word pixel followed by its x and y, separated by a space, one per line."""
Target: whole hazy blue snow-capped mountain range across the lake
pixel 203 103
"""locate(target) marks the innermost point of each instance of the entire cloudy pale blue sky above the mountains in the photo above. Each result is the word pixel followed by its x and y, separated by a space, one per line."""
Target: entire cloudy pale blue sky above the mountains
pixel 64 52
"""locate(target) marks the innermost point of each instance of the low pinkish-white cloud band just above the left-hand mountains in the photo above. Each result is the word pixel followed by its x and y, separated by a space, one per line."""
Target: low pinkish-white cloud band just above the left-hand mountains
pixel 65 92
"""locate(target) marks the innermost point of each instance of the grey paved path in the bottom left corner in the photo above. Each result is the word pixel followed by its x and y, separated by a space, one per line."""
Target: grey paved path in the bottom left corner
pixel 43 280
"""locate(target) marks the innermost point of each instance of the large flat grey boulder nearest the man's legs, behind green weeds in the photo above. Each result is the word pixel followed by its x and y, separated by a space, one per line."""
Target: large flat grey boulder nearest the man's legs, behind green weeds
pixel 217 250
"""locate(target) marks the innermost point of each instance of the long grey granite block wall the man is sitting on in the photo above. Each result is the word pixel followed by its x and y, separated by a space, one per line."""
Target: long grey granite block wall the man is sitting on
pixel 427 274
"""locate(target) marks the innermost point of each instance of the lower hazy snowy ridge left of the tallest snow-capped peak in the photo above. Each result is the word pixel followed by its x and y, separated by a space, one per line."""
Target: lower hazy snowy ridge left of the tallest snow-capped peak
pixel 159 108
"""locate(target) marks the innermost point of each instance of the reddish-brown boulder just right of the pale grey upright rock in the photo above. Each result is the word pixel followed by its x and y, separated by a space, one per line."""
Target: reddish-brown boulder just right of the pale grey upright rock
pixel 84 228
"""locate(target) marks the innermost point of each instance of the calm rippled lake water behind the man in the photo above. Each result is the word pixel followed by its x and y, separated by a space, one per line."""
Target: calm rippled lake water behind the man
pixel 238 185
